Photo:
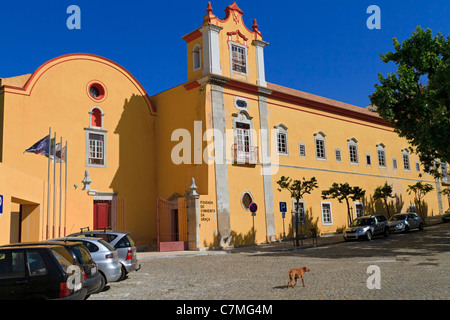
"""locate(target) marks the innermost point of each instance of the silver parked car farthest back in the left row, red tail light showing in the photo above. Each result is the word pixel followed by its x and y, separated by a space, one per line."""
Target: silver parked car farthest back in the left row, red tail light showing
pixel 124 244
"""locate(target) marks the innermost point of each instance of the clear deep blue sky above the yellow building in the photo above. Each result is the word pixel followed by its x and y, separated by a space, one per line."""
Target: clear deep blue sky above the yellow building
pixel 321 47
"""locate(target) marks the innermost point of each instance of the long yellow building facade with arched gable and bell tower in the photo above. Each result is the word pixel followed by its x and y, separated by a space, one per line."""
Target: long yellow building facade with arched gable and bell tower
pixel 184 165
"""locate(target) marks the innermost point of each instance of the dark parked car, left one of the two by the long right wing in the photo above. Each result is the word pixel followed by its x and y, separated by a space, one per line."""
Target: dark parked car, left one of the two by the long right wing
pixel 366 227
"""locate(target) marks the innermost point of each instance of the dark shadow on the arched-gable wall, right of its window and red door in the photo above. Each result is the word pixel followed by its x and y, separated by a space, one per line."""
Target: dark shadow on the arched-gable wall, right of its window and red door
pixel 134 179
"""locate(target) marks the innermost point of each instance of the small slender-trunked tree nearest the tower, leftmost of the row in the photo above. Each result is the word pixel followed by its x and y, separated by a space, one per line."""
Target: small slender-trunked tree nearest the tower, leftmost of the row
pixel 297 188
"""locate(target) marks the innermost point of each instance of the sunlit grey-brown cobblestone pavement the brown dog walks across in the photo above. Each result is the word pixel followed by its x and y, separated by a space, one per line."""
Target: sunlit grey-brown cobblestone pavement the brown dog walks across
pixel 411 266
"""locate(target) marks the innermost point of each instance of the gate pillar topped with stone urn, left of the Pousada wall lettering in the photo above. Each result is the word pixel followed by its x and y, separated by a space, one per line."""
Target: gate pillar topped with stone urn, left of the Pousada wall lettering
pixel 193 213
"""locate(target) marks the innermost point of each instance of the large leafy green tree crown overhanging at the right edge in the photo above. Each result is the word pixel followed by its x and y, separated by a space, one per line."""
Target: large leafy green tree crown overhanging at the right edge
pixel 416 98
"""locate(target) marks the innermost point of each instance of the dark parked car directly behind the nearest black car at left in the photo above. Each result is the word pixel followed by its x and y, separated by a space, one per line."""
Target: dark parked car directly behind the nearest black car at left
pixel 92 278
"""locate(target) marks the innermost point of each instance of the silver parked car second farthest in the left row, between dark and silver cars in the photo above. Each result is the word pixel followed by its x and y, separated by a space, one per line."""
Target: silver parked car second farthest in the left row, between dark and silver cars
pixel 104 255
